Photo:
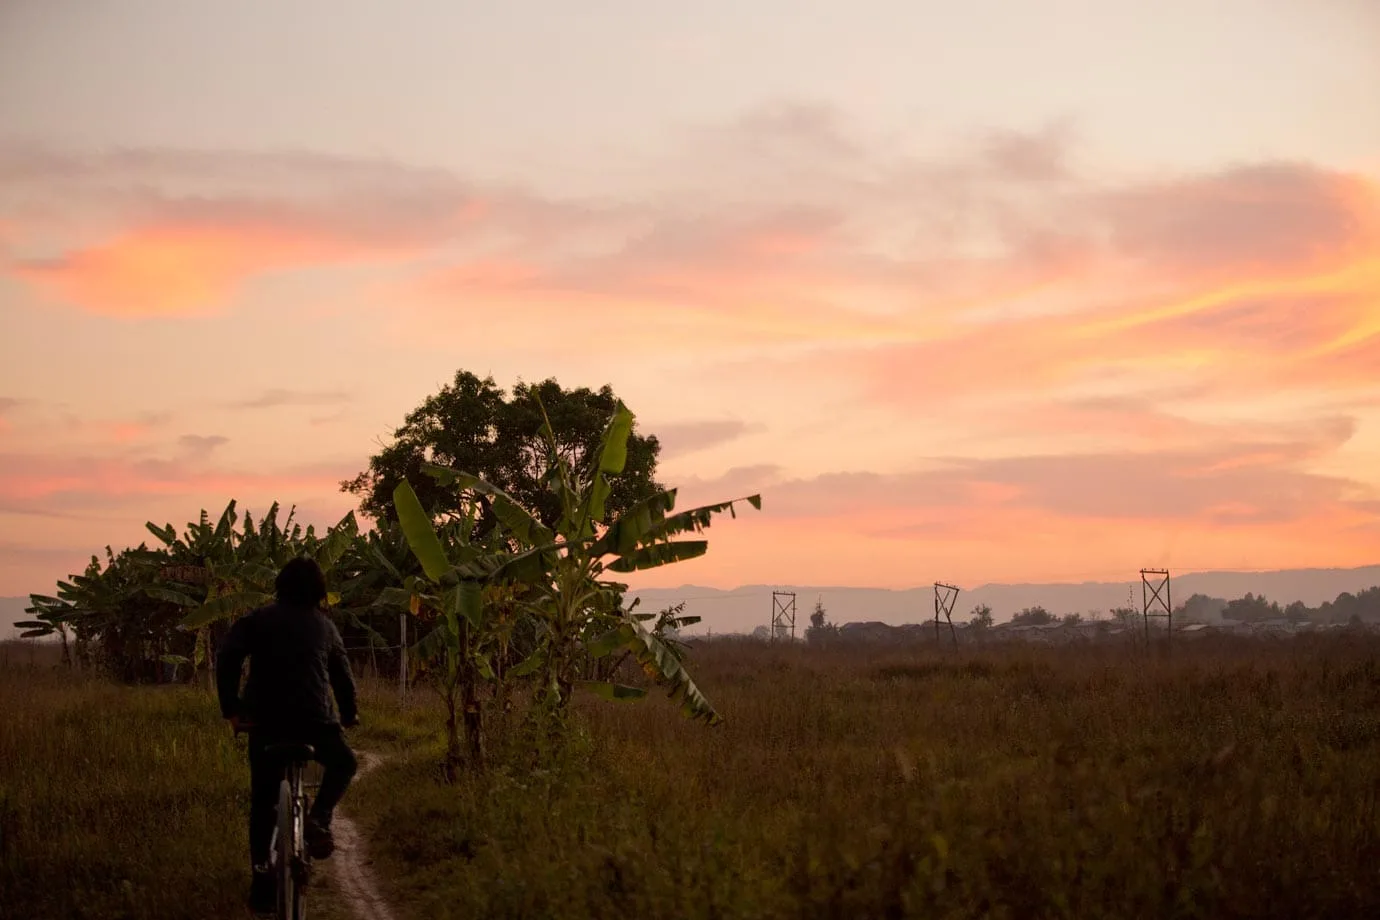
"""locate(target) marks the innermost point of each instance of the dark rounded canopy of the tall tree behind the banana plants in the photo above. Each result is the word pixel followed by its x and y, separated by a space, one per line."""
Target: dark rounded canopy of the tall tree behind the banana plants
pixel 474 426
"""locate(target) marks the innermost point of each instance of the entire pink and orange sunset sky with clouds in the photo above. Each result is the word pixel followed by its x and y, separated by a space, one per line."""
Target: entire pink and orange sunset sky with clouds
pixel 968 292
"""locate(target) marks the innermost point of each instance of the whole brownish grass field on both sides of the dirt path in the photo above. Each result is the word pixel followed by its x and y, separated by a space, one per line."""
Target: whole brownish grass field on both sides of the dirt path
pixel 1236 780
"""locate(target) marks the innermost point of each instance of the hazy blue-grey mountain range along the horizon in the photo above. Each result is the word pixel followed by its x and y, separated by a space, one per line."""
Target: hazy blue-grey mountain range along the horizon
pixel 742 610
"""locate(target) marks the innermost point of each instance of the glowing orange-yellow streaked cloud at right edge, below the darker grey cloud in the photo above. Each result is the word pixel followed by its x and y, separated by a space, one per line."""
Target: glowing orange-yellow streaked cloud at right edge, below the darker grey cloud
pixel 1303 332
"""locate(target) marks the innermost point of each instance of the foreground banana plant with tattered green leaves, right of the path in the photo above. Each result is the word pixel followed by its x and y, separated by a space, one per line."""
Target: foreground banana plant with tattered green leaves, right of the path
pixel 564 568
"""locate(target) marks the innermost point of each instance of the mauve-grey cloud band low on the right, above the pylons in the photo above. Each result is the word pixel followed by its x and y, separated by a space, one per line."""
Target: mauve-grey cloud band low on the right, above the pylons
pixel 1262 481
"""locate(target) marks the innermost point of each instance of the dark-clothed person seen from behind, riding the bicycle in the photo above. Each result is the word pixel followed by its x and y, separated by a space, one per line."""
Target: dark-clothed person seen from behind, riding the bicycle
pixel 297 659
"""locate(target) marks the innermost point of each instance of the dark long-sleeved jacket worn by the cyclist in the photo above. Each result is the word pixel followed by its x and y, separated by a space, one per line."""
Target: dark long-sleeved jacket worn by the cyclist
pixel 296 657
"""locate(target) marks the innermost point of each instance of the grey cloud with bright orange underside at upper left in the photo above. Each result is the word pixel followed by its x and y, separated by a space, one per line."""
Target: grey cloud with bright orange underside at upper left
pixel 191 228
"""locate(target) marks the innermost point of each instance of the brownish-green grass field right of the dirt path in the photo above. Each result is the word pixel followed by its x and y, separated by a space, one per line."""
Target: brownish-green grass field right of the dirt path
pixel 1239 780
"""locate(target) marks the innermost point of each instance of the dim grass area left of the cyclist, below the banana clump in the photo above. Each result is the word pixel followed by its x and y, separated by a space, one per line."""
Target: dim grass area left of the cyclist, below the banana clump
pixel 117 802
